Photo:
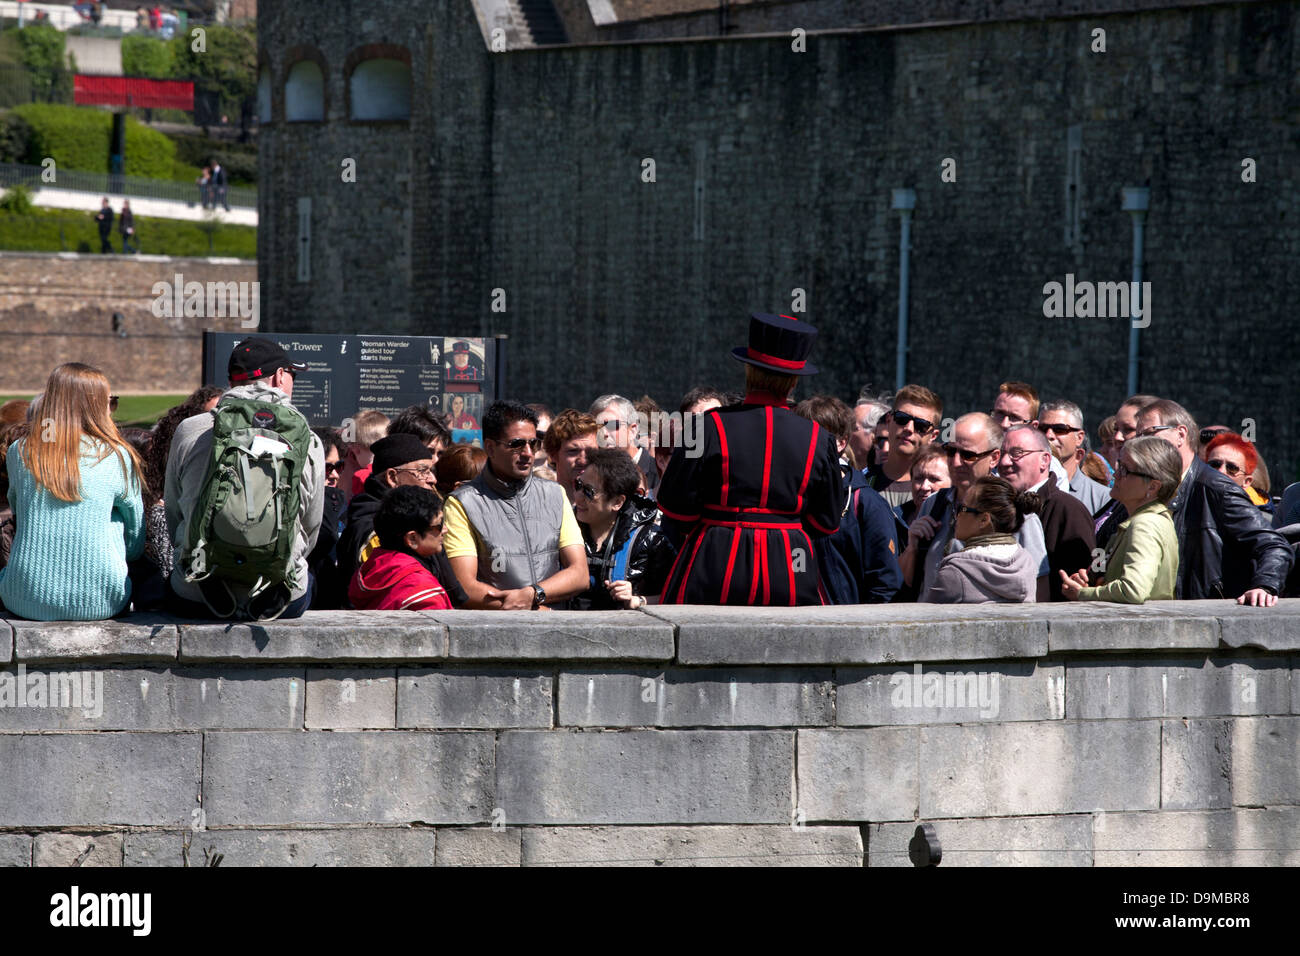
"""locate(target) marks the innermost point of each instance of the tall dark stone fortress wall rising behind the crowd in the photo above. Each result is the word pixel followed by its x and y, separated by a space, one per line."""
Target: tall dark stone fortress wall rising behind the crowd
pixel 774 171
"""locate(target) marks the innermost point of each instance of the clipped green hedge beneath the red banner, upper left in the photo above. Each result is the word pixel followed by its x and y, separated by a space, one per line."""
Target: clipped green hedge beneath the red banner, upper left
pixel 79 139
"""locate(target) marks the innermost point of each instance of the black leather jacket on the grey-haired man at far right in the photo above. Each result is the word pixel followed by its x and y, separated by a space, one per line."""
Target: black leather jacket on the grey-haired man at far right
pixel 1225 544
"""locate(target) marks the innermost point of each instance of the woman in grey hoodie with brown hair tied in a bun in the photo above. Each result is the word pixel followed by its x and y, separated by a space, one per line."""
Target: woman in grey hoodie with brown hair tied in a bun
pixel 991 568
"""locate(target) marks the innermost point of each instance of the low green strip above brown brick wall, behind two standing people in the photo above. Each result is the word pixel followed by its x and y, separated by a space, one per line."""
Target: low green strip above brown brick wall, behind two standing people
pixel 40 232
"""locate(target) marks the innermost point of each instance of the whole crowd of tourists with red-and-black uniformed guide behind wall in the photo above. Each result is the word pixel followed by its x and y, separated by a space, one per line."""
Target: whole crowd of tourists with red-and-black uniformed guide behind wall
pixel 233 507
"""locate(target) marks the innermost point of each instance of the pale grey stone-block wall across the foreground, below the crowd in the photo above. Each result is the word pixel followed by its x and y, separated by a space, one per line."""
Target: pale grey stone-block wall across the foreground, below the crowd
pixel 1094 736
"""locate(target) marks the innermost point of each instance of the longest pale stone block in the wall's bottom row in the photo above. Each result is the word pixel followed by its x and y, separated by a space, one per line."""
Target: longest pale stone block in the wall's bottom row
pixel 694 846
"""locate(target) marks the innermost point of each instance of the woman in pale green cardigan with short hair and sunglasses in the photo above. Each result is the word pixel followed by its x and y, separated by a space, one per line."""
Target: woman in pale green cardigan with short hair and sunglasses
pixel 1142 559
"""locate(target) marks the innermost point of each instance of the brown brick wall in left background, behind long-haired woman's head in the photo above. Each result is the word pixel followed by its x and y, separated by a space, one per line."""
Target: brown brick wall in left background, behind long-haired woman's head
pixel 59 308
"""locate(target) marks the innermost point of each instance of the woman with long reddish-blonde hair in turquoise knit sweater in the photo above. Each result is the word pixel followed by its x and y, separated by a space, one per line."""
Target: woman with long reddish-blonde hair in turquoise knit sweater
pixel 75 487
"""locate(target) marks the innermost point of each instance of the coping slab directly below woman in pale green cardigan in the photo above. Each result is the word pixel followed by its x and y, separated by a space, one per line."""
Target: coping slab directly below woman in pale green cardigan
pixel 1154 626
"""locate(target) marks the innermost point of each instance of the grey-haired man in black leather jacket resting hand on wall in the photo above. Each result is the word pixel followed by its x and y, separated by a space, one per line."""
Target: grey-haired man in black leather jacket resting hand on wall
pixel 1225 544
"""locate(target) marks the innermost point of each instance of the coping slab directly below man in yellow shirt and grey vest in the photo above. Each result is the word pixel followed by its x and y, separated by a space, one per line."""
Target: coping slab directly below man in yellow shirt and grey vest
pixel 556 637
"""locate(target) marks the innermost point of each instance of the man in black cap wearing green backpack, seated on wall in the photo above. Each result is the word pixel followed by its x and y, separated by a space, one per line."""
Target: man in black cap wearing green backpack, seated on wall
pixel 245 495
